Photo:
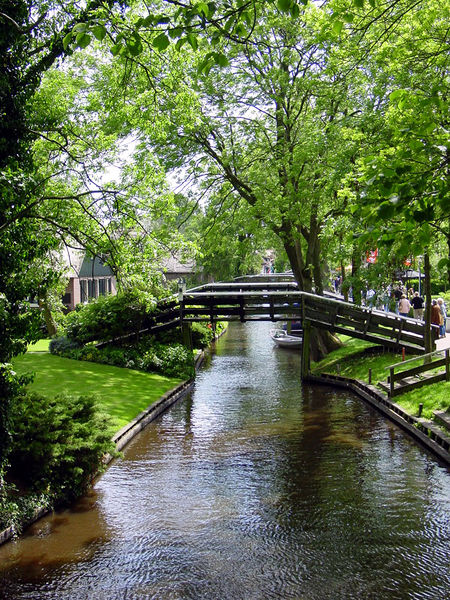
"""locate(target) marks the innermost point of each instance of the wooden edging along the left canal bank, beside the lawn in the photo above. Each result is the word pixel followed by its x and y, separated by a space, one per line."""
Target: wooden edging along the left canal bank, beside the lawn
pixel 124 435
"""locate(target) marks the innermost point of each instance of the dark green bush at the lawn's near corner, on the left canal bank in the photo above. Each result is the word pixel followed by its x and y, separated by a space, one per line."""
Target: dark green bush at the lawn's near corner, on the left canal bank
pixel 58 443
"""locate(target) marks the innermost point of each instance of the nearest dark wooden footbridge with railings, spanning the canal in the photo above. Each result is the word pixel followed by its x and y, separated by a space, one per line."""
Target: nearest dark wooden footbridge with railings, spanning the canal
pixel 282 301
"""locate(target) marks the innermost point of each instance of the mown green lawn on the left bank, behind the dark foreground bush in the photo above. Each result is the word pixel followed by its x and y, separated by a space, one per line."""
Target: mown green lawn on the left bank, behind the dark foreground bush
pixel 122 393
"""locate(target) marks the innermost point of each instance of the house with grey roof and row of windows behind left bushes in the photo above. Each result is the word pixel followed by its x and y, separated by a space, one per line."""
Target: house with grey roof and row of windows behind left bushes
pixel 88 278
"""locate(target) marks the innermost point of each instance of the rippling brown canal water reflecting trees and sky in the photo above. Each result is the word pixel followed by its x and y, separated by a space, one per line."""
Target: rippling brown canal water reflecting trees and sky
pixel 253 487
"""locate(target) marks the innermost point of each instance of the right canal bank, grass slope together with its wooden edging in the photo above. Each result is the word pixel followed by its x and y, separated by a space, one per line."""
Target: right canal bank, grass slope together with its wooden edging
pixel 362 367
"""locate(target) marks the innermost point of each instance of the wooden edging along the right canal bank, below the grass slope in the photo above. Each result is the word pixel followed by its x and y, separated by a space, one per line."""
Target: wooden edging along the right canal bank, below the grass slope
pixel 421 430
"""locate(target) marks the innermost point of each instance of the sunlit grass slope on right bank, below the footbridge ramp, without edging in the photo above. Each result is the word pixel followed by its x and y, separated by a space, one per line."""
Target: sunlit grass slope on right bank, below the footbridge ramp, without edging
pixel 351 361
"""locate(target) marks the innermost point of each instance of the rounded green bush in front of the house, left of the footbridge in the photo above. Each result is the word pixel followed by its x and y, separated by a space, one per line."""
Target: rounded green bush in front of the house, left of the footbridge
pixel 108 317
